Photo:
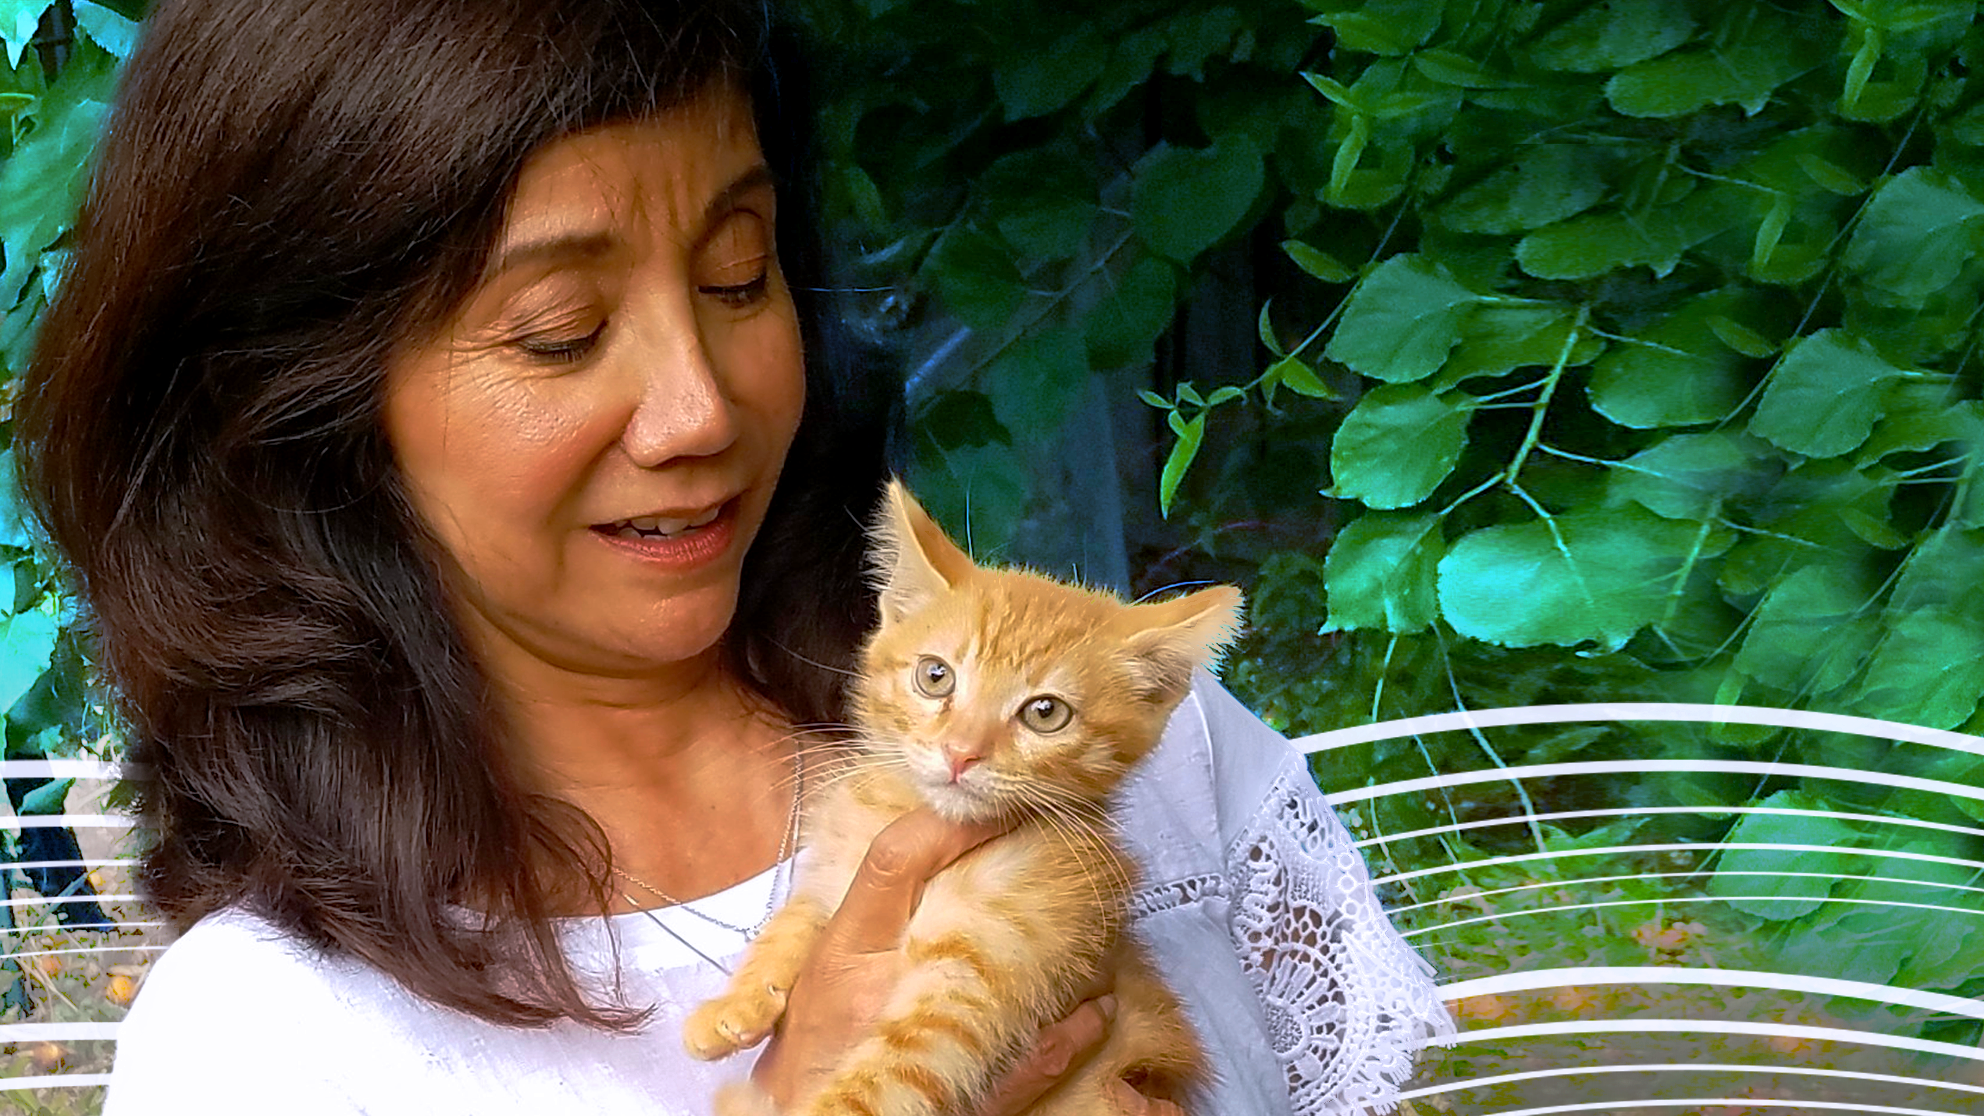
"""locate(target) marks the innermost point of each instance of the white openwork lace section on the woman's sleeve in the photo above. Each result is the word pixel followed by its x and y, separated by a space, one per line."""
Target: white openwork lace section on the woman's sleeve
pixel 1348 1002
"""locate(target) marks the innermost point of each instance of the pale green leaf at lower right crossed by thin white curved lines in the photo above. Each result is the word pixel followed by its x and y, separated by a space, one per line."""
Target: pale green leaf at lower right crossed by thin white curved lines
pixel 1793 895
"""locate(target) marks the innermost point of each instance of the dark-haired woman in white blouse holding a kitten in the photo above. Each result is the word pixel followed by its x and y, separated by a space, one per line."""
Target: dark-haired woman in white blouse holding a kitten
pixel 469 549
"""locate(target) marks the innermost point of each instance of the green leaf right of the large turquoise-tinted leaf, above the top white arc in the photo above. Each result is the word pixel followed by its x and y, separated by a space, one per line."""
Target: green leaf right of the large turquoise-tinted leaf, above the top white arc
pixel 1810 634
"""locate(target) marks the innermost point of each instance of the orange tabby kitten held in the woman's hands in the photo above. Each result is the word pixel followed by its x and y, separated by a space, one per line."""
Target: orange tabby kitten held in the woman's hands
pixel 989 694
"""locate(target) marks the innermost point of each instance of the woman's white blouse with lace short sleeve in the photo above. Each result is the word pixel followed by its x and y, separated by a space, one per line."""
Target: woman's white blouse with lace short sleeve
pixel 1253 903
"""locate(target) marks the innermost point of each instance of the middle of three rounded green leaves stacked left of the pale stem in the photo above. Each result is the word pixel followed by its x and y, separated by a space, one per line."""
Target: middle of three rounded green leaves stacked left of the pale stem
pixel 1396 446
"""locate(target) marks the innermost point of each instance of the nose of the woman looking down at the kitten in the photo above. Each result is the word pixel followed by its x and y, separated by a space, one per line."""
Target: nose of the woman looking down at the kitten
pixel 682 408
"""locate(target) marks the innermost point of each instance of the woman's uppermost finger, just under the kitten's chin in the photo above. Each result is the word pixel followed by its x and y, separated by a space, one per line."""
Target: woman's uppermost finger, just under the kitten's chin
pixel 892 877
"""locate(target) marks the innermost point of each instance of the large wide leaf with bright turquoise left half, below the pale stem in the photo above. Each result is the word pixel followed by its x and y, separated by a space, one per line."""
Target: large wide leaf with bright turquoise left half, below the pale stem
pixel 1600 577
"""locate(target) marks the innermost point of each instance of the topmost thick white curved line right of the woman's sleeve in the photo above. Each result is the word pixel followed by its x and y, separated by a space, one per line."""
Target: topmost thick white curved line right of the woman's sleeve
pixel 1469 720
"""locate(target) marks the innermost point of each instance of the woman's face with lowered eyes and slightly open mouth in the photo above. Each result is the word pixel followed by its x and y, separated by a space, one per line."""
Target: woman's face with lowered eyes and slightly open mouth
pixel 596 436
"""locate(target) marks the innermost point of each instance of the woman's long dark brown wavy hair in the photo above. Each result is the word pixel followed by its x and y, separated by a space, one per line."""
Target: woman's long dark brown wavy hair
pixel 287 194
